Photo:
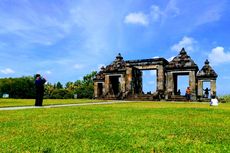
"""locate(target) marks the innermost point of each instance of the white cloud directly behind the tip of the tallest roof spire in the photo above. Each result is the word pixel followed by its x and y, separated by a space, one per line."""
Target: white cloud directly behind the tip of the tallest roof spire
pixel 186 42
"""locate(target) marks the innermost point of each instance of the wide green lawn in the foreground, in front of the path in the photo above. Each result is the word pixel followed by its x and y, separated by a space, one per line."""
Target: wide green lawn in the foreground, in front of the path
pixel 125 127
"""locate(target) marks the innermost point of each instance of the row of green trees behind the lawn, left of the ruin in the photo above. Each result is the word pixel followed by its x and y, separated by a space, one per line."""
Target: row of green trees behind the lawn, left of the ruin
pixel 24 87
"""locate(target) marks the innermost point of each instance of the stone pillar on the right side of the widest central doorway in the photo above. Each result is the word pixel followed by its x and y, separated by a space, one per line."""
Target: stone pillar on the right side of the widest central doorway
pixel 160 78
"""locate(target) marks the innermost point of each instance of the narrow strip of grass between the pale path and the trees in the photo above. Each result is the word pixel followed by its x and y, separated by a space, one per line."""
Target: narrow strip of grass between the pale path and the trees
pixel 30 102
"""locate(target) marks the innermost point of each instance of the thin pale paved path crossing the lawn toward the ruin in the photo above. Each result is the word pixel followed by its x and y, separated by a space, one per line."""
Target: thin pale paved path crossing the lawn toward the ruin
pixel 63 105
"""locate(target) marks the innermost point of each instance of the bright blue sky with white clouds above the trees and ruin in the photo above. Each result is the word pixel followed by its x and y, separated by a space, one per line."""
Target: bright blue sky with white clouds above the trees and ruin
pixel 67 39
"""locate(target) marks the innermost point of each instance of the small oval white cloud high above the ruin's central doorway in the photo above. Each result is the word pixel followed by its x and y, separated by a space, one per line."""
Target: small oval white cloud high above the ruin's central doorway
pixel 137 18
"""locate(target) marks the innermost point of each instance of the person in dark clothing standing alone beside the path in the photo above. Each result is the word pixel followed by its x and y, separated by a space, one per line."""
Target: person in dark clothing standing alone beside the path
pixel 39 85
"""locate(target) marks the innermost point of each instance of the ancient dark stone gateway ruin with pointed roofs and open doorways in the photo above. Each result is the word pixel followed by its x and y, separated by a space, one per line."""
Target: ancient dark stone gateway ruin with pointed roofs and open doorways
pixel 123 79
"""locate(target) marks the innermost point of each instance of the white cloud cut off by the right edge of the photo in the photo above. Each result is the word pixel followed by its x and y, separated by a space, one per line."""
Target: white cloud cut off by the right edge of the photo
pixel 219 56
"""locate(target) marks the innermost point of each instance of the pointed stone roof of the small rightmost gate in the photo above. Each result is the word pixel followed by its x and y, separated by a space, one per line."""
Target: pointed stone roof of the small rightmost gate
pixel 207 71
